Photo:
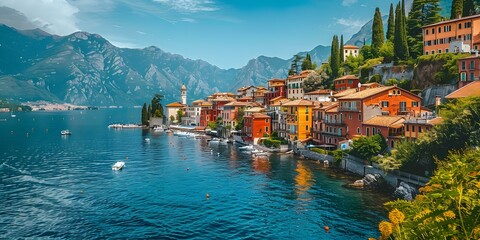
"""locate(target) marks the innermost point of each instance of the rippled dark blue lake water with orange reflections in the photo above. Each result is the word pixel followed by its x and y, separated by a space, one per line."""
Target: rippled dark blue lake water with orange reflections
pixel 54 186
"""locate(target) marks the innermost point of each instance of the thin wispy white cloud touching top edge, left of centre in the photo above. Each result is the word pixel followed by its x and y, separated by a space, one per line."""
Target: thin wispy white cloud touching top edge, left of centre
pixel 189 5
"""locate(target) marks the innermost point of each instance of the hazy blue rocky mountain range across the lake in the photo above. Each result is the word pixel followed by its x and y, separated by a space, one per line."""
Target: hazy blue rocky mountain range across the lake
pixel 86 69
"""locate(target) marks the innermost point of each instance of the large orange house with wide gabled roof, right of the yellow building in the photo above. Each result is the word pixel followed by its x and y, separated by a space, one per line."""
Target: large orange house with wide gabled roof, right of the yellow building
pixel 360 106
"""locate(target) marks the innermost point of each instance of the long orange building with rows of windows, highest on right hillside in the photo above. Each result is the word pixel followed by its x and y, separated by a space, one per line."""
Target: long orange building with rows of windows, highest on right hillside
pixel 456 35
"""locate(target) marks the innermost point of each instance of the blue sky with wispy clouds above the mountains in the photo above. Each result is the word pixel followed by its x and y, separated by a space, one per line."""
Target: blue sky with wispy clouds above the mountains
pixel 226 33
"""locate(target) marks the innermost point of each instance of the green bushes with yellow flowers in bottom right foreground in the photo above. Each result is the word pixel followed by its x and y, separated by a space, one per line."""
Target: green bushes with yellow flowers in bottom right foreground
pixel 447 208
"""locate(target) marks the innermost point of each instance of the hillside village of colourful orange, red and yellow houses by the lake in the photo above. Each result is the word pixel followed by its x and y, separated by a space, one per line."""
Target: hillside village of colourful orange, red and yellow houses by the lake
pixel 331 118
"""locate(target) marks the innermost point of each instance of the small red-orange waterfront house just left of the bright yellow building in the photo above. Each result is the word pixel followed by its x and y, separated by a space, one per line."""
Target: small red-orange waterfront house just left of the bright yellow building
pixel 255 126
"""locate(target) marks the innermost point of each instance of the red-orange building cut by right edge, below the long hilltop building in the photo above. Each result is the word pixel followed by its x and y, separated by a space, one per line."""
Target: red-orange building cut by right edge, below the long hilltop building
pixel 469 70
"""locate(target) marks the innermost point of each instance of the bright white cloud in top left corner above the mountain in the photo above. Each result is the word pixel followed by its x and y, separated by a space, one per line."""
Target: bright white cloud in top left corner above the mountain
pixel 53 16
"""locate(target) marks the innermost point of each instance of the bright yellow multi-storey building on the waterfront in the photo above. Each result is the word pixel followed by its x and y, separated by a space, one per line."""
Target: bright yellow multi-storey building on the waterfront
pixel 299 119
